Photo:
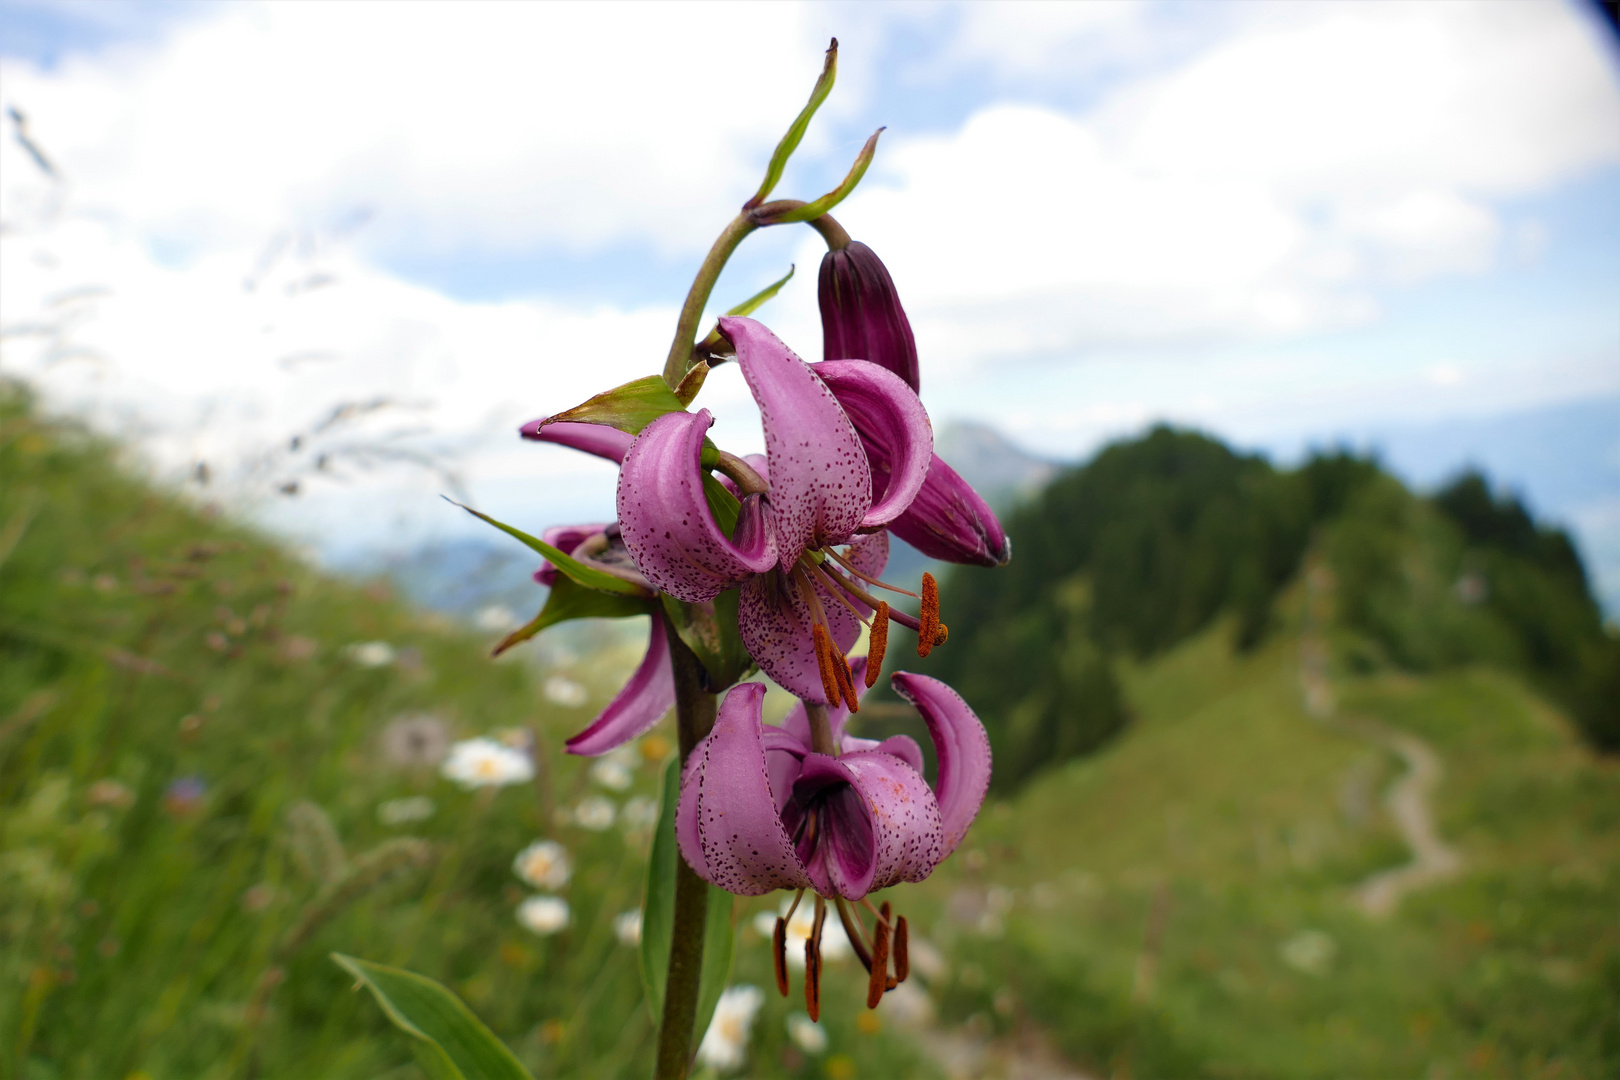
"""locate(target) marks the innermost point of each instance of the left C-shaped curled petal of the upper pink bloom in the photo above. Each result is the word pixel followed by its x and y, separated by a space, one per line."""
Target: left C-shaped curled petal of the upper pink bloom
pixel 667 522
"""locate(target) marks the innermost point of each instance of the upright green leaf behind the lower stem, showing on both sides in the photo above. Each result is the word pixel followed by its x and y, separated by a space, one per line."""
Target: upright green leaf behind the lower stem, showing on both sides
pixel 659 921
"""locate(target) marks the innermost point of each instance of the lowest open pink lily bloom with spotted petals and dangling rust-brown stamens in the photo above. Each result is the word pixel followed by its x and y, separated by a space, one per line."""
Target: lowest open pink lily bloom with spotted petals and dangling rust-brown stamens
pixel 809 807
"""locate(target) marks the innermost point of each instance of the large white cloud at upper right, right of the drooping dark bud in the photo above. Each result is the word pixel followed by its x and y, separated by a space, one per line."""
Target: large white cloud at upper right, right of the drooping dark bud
pixel 1274 185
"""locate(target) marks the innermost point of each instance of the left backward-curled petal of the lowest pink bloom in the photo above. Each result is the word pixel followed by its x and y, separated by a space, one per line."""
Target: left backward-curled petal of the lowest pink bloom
pixel 727 820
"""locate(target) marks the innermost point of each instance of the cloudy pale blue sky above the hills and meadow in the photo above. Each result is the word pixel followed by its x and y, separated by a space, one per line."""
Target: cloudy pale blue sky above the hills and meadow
pixel 401 231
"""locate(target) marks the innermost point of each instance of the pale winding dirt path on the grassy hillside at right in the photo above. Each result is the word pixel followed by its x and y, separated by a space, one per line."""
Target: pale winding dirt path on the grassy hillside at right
pixel 1409 799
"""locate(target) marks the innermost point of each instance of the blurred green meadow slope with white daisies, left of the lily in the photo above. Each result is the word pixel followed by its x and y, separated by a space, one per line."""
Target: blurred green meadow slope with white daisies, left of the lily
pixel 134 937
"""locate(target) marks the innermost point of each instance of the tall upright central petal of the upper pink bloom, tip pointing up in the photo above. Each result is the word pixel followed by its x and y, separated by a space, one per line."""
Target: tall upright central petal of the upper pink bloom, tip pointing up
pixel 821 480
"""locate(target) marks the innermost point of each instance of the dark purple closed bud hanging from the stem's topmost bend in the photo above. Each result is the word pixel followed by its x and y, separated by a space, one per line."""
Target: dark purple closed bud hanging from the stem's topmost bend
pixel 863 315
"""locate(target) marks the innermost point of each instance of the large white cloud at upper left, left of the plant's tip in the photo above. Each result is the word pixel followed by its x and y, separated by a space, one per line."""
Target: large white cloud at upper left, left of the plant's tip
pixel 469 125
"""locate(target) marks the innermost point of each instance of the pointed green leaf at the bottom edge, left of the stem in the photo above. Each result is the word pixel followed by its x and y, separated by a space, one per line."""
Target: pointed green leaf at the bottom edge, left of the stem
pixel 448 1039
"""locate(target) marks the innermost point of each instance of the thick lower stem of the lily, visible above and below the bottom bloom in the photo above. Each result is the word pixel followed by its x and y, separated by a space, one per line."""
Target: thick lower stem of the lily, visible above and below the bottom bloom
pixel 694 720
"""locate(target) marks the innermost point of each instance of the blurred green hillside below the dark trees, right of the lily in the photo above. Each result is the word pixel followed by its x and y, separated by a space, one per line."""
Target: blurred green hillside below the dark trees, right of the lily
pixel 1247 823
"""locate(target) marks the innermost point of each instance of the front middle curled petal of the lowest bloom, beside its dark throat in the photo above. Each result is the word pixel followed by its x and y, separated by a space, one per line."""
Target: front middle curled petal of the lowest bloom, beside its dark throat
pixel 879 823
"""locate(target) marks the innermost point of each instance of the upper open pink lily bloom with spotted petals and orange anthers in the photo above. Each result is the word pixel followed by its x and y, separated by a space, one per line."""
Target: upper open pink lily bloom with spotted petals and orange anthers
pixel 803 602
